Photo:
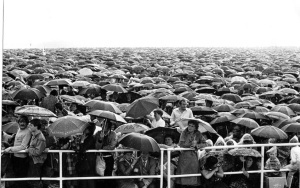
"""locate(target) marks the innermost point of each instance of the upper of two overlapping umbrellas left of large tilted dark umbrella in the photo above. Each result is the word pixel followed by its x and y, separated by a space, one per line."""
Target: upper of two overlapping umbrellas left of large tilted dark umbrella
pixel 102 105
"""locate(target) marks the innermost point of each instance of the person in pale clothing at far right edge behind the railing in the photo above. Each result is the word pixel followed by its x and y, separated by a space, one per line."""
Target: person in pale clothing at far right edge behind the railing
pixel 294 165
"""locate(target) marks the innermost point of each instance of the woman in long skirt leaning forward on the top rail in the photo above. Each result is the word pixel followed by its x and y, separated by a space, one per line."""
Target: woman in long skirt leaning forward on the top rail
pixel 188 160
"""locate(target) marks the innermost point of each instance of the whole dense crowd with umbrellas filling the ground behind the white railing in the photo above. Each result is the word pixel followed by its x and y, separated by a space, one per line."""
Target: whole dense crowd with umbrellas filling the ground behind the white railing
pixel 214 98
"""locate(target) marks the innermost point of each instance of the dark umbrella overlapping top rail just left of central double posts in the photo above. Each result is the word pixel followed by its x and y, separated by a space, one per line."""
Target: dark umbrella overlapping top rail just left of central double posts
pixel 140 142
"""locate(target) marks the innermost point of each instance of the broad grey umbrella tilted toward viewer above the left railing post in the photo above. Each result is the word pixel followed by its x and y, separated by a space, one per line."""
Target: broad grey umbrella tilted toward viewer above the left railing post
pixel 67 126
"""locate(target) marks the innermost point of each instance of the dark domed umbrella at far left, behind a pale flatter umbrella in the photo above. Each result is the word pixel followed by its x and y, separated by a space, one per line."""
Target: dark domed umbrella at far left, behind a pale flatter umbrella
pixel 27 93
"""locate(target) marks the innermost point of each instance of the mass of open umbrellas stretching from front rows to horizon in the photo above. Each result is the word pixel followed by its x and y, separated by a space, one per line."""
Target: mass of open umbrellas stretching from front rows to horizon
pixel 257 89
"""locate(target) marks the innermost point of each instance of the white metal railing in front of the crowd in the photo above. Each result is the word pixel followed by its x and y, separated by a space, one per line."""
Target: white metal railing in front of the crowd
pixel 169 150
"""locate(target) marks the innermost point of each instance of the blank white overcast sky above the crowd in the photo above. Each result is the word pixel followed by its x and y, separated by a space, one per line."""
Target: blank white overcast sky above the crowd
pixel 151 23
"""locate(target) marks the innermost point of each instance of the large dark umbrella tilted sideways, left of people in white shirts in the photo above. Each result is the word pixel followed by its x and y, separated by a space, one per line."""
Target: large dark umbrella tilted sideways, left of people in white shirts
pixel 142 106
